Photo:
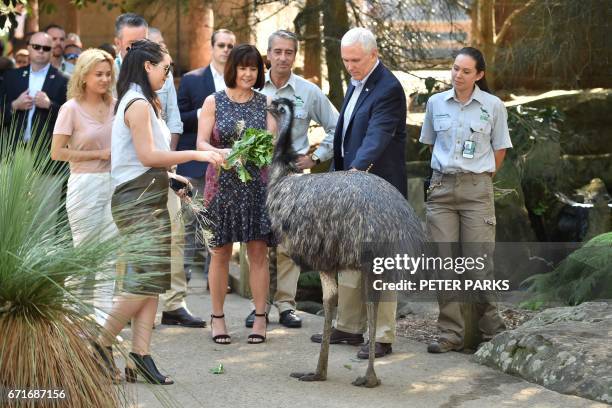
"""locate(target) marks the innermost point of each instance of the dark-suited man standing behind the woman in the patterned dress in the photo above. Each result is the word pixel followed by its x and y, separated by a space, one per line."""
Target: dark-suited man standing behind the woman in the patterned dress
pixel 194 88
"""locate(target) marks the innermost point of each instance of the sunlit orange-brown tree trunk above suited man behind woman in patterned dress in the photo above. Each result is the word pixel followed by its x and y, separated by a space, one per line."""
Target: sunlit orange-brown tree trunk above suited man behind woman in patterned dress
pixel 201 28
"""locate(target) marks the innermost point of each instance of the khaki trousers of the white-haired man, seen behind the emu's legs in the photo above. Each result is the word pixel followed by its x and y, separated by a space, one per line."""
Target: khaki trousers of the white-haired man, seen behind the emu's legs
pixel 352 315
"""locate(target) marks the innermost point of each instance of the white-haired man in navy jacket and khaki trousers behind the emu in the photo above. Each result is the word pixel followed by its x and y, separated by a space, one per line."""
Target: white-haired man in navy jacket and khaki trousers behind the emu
pixel 370 136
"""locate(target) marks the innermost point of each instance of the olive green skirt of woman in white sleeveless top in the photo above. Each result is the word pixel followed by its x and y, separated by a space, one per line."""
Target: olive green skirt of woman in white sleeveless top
pixel 140 211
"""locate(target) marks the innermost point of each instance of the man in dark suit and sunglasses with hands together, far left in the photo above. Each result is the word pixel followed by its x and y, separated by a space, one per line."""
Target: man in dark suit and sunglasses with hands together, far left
pixel 31 96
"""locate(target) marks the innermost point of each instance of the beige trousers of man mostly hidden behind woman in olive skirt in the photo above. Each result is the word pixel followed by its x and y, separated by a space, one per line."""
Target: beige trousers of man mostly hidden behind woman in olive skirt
pixel 175 297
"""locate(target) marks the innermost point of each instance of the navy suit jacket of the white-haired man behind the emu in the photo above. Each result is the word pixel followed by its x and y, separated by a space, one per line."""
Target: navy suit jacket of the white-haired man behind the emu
pixel 376 135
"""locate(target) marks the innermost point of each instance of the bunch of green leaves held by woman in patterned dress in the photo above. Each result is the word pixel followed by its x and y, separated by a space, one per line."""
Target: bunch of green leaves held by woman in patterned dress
pixel 254 147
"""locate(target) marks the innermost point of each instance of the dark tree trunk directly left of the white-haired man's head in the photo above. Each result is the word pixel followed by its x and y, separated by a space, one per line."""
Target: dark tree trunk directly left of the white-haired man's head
pixel 335 19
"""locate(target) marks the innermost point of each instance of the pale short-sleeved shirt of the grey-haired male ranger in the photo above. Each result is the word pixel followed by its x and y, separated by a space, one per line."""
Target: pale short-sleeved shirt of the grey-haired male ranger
pixel 310 103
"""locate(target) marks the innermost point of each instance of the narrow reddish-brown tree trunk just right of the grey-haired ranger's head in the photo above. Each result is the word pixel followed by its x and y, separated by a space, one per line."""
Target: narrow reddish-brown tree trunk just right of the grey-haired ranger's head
pixel 312 42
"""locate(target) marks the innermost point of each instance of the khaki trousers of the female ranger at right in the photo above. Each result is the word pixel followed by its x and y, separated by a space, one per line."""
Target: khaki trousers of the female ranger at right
pixel 460 208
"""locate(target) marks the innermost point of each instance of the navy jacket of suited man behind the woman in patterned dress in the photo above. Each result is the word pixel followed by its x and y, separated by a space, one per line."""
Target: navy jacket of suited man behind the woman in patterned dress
pixel 195 86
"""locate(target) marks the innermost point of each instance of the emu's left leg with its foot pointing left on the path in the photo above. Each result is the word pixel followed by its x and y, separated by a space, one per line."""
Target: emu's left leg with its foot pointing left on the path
pixel 330 300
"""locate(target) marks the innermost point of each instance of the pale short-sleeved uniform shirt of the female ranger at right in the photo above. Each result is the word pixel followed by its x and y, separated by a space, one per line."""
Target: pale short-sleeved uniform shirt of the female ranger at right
pixel 448 124
